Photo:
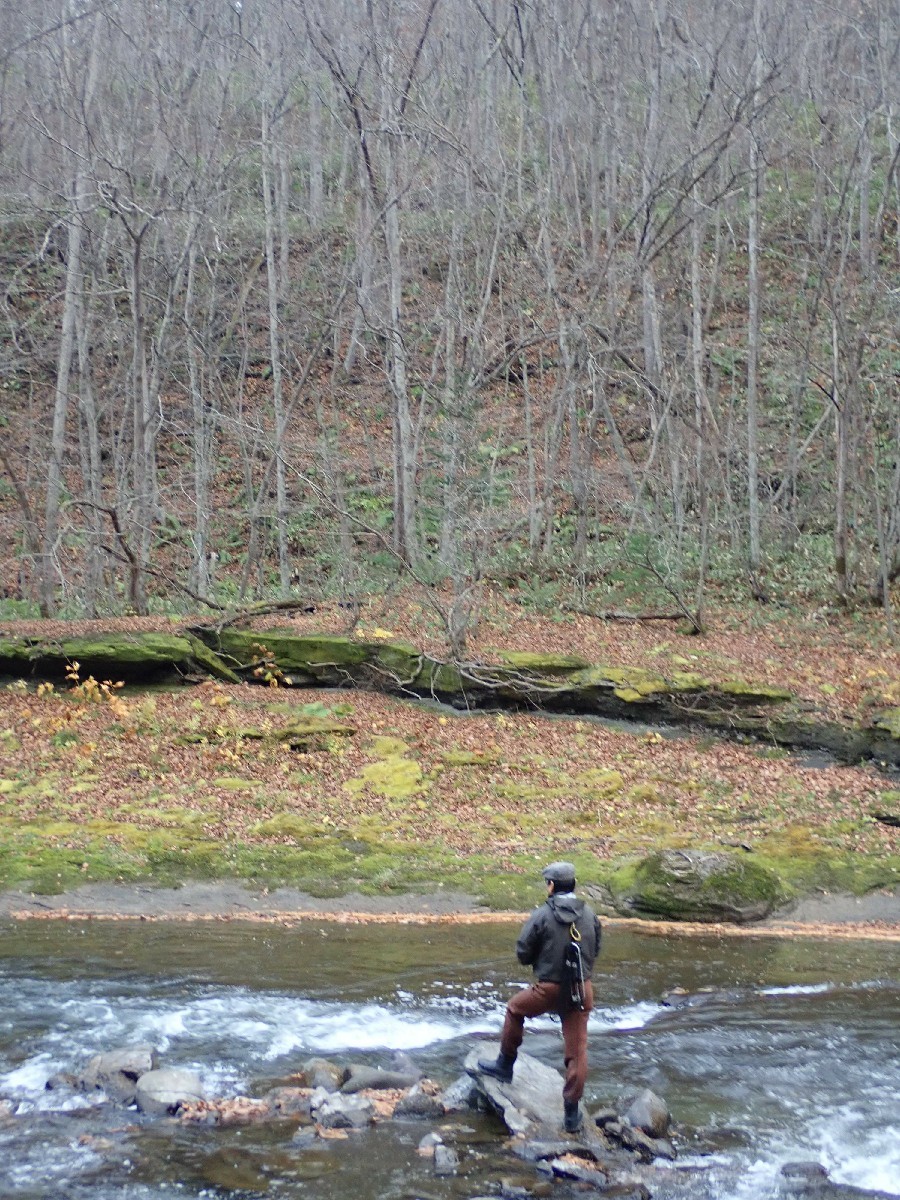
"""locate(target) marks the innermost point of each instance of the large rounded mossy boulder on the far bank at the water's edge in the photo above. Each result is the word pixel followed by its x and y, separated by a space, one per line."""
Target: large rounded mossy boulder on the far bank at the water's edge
pixel 697 885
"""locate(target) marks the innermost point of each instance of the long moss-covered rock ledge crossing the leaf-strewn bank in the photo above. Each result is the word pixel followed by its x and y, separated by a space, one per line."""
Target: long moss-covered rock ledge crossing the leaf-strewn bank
pixel 553 683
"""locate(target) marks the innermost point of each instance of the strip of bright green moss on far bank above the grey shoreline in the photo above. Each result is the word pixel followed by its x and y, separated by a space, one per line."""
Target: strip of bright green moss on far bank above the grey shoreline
pixel 56 856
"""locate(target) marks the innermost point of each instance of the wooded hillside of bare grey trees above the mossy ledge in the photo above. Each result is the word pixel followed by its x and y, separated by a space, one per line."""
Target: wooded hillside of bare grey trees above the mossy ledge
pixel 591 303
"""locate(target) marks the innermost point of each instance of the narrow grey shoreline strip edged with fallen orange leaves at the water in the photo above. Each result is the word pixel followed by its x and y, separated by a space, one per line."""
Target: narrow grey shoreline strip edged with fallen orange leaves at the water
pixel 875 916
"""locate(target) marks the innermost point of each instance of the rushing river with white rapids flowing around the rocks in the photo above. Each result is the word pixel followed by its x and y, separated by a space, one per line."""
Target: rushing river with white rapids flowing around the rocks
pixel 796 1058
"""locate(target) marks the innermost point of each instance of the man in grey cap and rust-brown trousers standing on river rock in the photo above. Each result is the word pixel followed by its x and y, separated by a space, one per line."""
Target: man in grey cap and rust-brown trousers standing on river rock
pixel 560 941
